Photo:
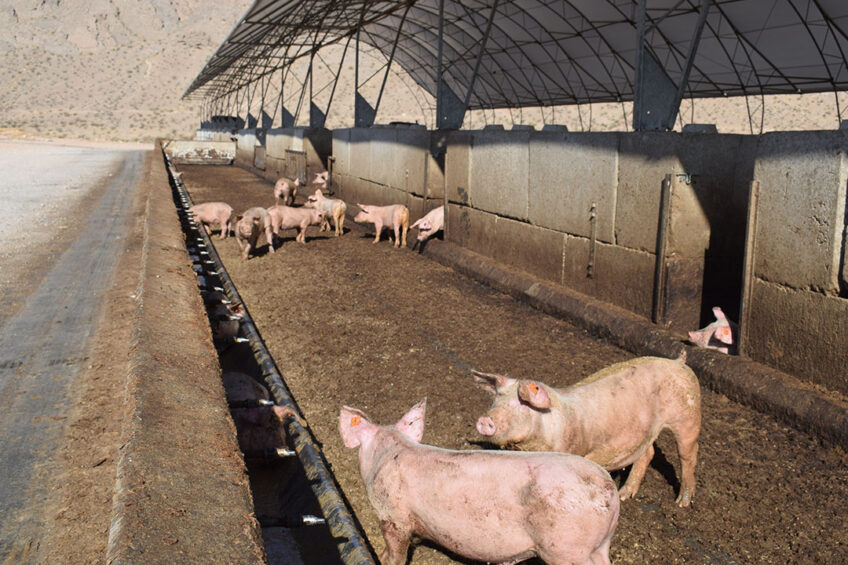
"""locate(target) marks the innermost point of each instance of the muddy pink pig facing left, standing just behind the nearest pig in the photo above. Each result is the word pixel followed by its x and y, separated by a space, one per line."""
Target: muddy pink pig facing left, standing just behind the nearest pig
pixel 611 417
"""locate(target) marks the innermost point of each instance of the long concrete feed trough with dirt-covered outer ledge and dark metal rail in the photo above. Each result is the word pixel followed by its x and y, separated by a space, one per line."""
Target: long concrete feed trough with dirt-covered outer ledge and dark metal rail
pixel 182 492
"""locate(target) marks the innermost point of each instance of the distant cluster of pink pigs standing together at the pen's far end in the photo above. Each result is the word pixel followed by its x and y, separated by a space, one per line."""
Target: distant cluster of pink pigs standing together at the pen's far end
pixel 318 210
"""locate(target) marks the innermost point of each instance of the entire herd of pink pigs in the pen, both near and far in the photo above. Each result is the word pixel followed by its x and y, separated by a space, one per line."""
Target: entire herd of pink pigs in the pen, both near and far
pixel 549 494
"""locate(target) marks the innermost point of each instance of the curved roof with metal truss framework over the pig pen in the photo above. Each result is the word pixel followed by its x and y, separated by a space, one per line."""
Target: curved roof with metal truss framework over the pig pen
pixel 499 54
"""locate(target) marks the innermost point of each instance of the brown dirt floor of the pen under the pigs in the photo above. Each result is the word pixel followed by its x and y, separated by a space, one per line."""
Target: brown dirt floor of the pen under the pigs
pixel 378 328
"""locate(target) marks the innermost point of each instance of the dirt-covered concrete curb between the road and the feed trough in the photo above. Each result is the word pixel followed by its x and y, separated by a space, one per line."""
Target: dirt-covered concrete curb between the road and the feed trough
pixel 181 492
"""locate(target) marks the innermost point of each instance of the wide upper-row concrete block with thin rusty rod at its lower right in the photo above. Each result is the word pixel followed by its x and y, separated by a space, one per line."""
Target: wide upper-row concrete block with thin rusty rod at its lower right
pixel 568 173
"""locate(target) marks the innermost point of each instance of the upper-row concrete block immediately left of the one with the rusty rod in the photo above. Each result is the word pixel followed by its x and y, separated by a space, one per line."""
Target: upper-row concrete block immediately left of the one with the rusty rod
pixel 499 173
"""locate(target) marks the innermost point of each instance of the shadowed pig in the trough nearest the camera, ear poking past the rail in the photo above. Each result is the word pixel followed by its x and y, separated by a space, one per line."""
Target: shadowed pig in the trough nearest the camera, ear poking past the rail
pixel 258 428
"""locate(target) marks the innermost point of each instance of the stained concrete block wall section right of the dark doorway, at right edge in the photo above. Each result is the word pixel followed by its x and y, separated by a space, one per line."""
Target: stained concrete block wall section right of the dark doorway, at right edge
pixel 799 315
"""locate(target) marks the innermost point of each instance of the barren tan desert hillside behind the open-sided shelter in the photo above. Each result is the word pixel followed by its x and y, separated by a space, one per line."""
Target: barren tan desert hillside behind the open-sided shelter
pixel 116 69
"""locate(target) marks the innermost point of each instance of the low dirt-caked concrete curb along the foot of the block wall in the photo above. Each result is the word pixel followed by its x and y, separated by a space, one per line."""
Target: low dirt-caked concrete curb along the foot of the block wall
pixel 753 384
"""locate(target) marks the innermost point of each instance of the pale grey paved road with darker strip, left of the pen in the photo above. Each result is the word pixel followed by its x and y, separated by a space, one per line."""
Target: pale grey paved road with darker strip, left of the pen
pixel 84 195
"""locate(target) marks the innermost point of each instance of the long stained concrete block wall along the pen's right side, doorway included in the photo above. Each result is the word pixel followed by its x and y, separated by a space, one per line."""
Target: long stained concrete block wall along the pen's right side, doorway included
pixel 529 199
